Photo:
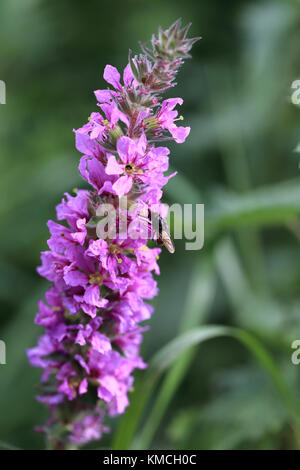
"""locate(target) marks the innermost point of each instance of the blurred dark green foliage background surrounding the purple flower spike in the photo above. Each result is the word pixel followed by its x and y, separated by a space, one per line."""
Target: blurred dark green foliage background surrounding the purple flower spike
pixel 239 160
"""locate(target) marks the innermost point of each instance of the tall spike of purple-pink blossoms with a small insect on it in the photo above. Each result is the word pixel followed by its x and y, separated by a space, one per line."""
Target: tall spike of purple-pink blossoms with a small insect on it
pixel 96 304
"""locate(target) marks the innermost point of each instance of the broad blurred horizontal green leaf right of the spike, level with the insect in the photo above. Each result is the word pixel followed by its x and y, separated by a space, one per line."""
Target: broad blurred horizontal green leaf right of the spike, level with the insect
pixel 270 205
